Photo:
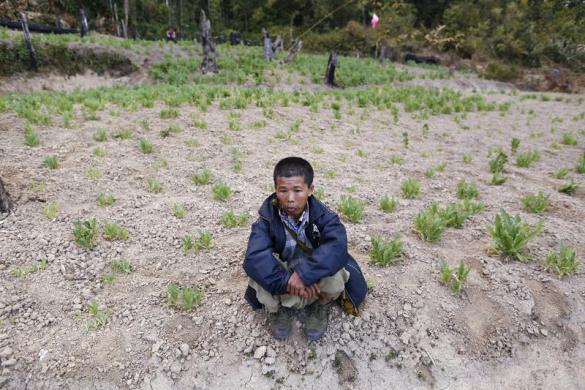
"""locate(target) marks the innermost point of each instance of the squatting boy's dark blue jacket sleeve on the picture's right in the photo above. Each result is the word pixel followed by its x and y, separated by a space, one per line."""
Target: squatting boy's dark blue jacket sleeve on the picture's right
pixel 330 256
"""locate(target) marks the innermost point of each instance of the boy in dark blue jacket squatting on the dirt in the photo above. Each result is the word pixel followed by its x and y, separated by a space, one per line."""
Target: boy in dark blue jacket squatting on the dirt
pixel 297 256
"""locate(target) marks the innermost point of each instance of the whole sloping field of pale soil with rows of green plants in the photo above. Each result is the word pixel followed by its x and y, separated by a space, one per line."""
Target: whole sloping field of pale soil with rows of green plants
pixel 121 265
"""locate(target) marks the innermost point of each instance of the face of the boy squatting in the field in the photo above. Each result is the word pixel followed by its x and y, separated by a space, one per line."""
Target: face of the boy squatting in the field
pixel 293 194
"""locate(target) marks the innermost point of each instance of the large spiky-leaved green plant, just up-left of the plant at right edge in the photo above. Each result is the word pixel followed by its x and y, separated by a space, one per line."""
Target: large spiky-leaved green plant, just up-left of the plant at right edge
pixel 511 235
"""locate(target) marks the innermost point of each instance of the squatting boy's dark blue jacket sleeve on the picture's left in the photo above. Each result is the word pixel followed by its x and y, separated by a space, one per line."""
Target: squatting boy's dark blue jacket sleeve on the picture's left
pixel 260 264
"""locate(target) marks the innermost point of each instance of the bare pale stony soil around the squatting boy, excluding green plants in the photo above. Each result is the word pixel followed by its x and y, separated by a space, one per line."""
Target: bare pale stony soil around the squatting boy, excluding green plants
pixel 514 326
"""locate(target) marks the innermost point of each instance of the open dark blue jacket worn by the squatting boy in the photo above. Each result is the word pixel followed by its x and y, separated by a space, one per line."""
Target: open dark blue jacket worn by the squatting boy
pixel 328 238
